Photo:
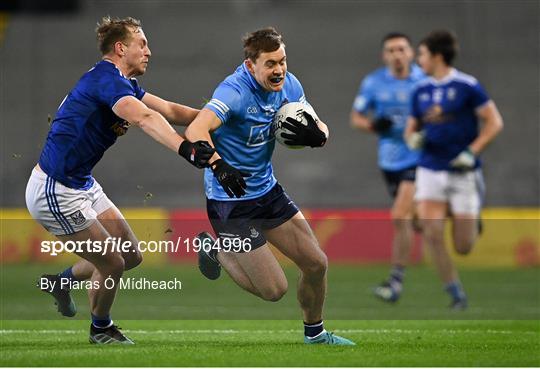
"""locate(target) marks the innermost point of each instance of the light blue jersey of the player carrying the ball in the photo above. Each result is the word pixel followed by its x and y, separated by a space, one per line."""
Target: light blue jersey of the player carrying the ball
pixel 245 139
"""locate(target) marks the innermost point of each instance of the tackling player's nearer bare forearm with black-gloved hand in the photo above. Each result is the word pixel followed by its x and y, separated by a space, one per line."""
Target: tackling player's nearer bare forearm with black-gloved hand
pixel 152 123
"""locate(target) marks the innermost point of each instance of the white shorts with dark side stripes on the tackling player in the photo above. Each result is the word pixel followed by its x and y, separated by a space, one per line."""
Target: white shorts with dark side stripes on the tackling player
pixel 62 210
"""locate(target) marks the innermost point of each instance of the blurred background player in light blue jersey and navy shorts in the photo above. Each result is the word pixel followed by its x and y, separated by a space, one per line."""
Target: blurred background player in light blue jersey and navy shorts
pixel 385 94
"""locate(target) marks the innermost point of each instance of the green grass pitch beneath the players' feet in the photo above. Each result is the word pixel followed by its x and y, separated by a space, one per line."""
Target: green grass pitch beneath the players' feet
pixel 214 323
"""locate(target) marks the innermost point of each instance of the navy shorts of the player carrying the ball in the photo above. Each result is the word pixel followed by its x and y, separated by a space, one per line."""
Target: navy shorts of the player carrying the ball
pixel 248 218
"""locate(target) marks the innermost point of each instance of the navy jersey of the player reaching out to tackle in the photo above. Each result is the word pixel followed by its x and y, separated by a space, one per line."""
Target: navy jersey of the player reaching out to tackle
pixel 85 125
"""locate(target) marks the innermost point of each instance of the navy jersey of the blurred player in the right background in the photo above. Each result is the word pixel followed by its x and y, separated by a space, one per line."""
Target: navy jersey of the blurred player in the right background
pixel 446 110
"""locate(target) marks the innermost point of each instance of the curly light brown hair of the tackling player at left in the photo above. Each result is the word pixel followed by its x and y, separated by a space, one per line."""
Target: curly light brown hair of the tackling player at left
pixel 111 30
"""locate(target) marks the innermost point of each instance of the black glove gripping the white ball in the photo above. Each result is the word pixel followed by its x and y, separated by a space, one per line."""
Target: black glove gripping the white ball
pixel 309 135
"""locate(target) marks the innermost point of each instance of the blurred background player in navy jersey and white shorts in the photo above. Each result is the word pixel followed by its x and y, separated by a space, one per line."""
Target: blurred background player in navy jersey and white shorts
pixel 446 112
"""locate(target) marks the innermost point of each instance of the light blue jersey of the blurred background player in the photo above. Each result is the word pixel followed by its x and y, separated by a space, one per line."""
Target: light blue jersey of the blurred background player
pixel 387 96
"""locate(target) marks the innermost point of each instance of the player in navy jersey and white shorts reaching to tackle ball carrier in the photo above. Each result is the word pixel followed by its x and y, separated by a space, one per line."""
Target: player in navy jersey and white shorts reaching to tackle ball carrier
pixel 63 196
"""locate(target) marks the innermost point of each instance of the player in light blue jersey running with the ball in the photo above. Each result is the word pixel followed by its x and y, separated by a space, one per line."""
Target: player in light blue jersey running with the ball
pixel 244 200
